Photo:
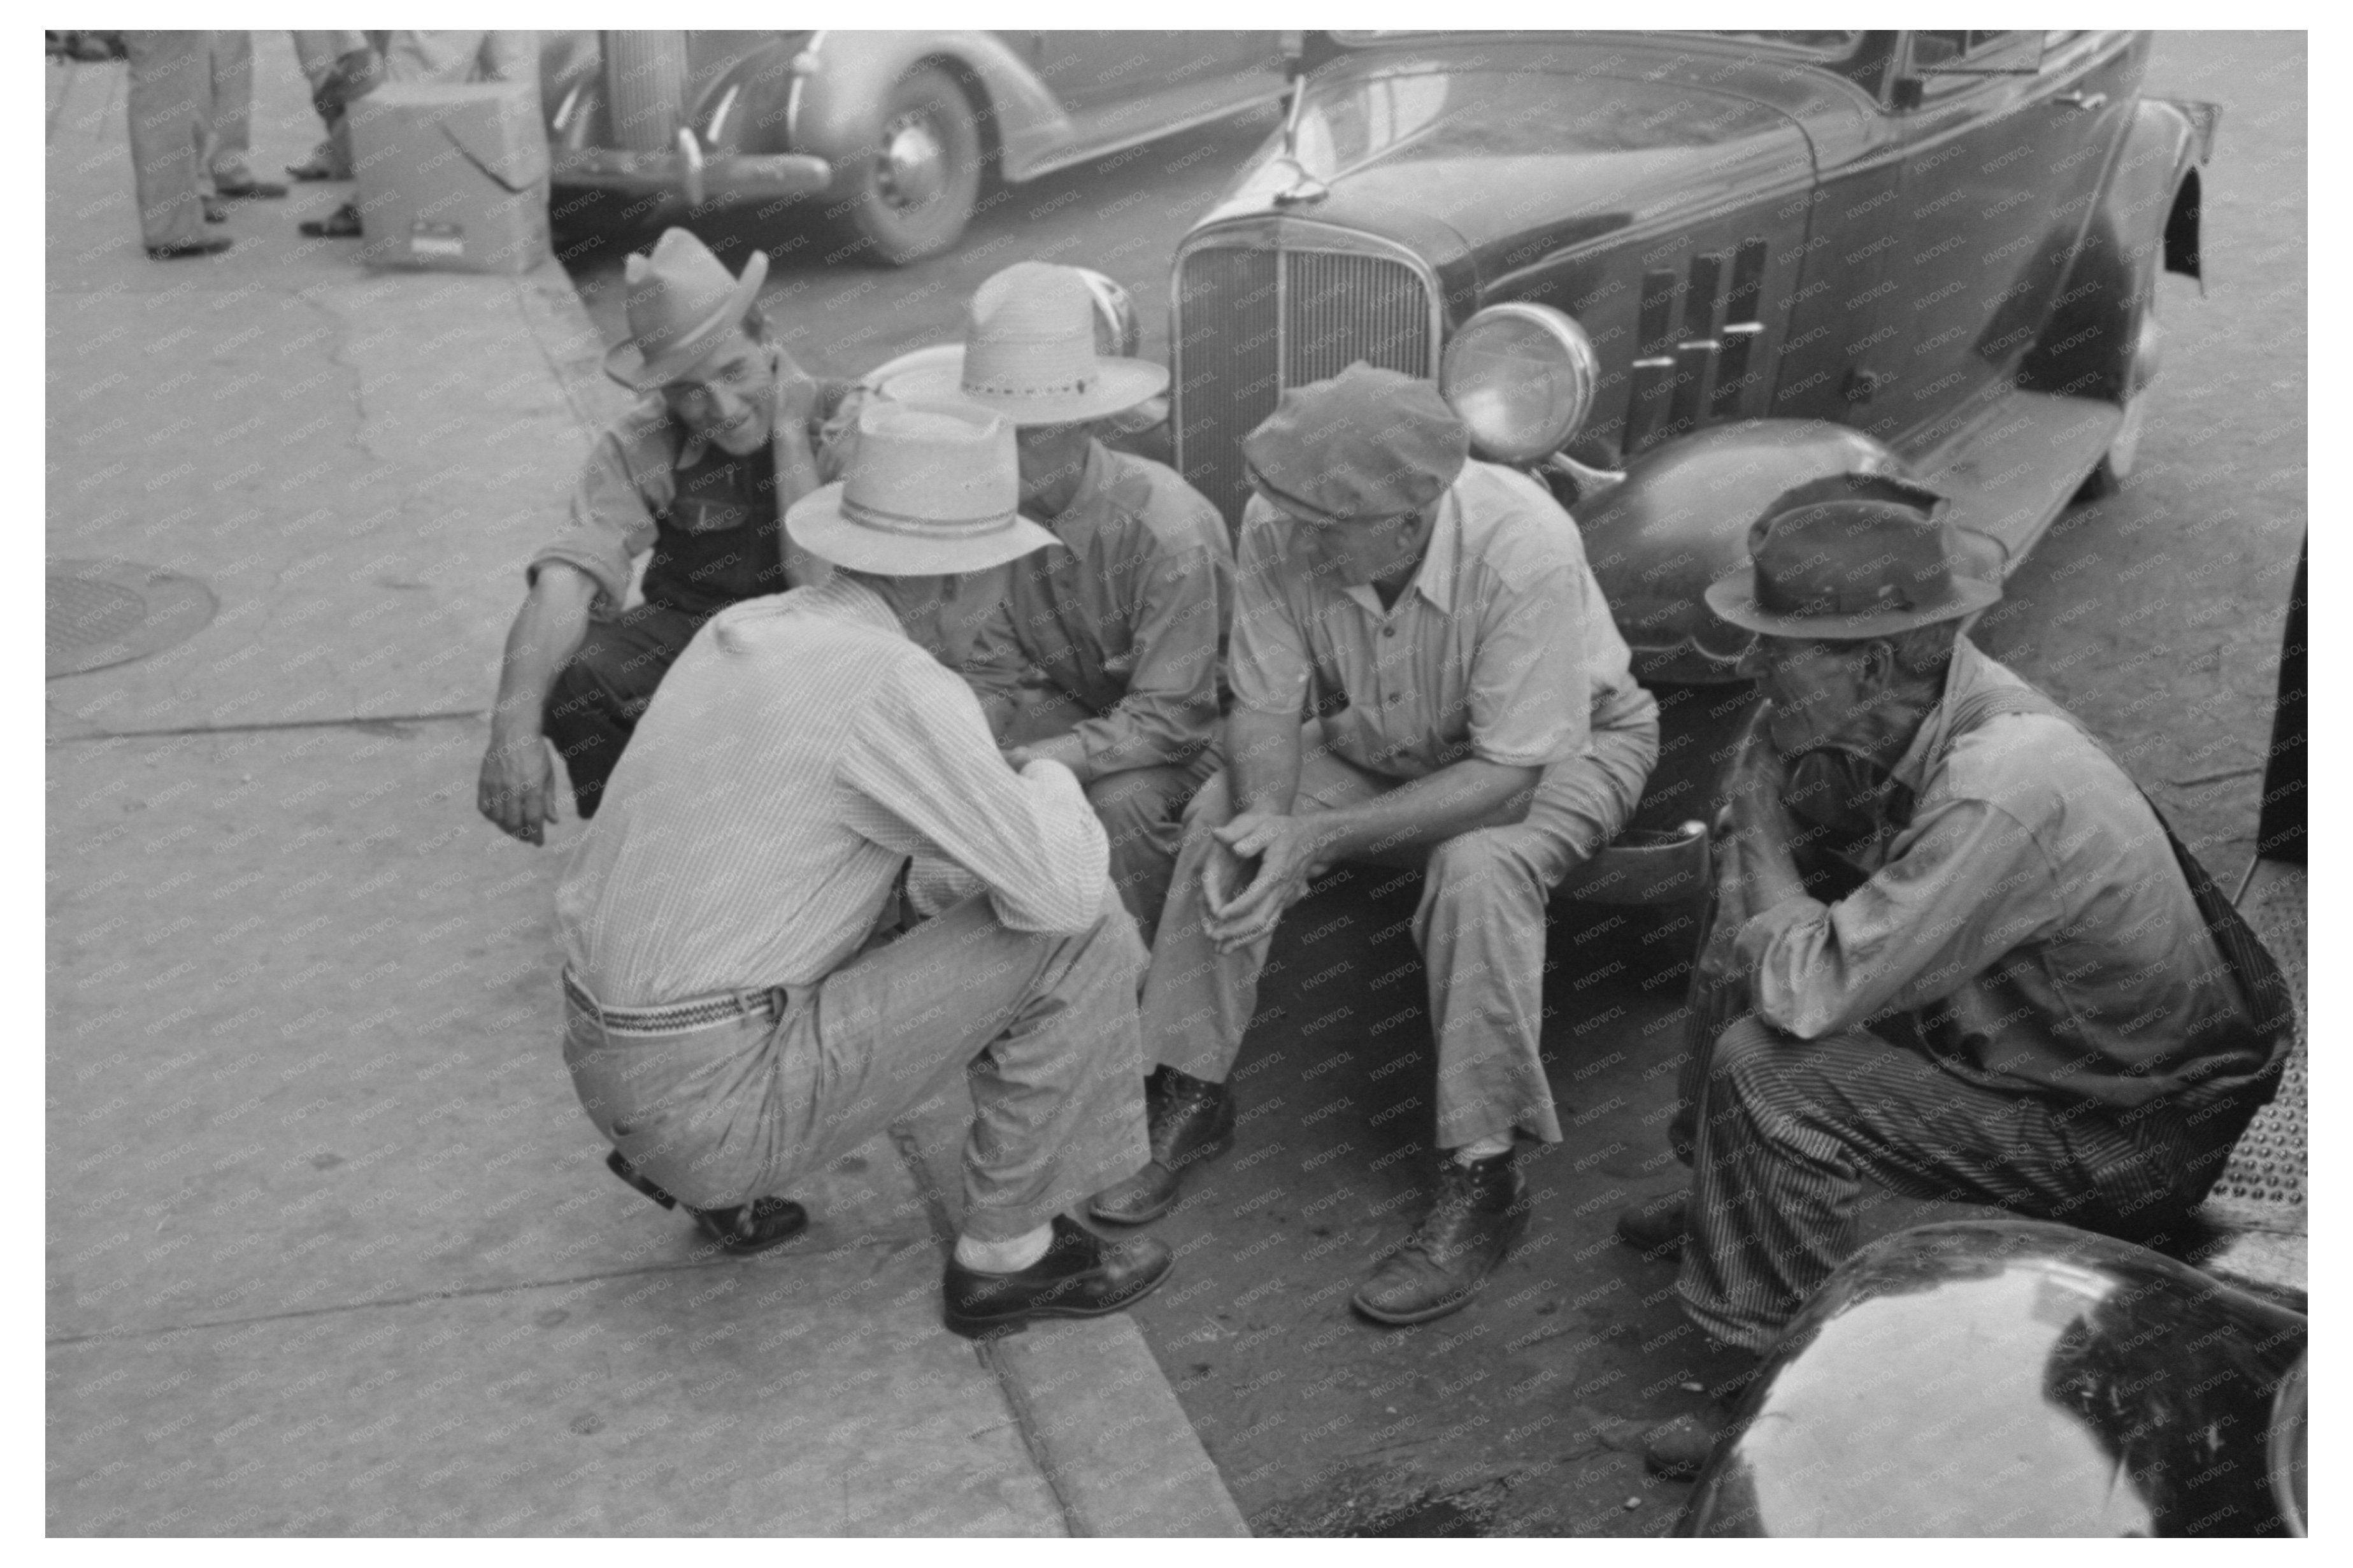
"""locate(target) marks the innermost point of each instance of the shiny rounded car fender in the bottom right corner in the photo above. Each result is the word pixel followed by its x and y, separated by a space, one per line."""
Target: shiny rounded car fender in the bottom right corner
pixel 2018 1378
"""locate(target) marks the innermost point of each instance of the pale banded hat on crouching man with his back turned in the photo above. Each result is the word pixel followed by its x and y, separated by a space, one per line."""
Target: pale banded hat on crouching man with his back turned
pixel 933 489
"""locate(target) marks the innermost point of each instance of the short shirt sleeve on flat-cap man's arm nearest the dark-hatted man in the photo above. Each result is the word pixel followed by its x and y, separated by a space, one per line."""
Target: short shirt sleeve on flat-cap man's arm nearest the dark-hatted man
pixel 1531 703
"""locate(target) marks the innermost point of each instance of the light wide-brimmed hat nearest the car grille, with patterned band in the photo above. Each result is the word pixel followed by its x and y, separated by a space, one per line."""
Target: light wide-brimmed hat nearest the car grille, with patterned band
pixel 1029 354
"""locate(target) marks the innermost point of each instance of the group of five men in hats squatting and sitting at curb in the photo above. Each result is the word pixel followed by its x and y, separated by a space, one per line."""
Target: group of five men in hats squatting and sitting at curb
pixel 952 743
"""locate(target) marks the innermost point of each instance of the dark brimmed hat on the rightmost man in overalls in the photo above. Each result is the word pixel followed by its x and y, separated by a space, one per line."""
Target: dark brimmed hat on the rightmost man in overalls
pixel 1851 559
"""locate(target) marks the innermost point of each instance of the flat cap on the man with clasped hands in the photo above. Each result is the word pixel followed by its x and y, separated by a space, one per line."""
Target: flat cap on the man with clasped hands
pixel 1368 444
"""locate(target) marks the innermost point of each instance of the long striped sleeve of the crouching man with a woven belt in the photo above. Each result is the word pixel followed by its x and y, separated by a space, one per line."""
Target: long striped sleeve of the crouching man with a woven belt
pixel 926 759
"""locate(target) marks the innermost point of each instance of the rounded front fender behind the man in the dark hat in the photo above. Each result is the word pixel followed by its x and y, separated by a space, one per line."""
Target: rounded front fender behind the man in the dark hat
pixel 1681 519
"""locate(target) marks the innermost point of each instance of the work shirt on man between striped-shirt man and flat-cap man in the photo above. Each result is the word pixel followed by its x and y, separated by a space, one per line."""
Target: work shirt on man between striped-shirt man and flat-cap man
pixel 1128 620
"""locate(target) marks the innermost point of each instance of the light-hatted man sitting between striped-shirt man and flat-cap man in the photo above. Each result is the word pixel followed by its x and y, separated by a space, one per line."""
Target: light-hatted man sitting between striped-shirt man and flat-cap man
pixel 1102 656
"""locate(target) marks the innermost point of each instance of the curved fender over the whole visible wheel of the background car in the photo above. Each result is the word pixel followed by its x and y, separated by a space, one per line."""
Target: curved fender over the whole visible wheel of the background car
pixel 1022 121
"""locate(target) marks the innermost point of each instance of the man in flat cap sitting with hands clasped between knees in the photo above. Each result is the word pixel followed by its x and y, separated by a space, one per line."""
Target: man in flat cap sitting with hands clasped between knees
pixel 1425 675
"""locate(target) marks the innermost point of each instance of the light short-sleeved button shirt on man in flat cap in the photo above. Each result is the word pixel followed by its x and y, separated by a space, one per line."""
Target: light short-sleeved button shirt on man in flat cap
pixel 1500 646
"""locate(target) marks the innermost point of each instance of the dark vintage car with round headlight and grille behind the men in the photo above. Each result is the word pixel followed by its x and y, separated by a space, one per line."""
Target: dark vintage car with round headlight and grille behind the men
pixel 1684 272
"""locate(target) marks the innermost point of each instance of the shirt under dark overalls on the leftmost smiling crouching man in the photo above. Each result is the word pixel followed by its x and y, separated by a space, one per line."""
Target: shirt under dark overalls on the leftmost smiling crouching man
pixel 632 477
